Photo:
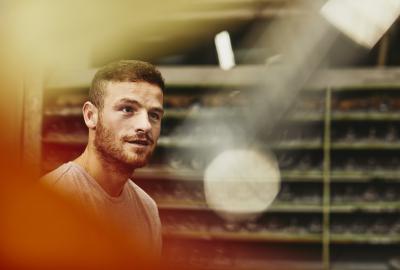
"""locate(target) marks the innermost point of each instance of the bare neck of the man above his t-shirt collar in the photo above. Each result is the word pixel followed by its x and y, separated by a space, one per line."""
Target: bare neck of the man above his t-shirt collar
pixel 112 177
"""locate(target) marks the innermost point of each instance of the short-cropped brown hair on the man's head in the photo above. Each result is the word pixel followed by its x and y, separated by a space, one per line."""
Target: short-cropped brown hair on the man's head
pixel 123 71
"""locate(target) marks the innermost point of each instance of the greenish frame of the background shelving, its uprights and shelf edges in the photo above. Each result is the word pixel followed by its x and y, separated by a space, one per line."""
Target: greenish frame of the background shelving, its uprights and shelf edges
pixel 329 81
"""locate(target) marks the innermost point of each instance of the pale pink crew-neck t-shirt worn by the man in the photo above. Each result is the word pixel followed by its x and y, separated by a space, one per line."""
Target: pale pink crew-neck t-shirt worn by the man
pixel 134 211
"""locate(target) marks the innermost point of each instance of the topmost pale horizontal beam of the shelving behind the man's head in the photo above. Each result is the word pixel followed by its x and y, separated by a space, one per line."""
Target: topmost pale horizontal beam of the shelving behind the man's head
pixel 343 79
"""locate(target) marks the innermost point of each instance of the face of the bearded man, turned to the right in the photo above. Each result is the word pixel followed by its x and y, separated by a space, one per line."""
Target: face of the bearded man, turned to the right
pixel 129 123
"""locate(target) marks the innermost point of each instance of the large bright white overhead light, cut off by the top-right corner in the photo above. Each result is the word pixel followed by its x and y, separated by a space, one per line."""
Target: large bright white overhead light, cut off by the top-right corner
pixel 364 21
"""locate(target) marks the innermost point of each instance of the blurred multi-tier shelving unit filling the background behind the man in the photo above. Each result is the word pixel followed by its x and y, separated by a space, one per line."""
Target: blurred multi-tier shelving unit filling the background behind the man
pixel 63 137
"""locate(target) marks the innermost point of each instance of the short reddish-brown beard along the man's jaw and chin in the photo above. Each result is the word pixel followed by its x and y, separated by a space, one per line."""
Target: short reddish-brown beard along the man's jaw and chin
pixel 107 145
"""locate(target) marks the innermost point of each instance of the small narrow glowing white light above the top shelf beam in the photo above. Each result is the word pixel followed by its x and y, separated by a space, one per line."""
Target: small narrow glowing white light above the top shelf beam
pixel 223 44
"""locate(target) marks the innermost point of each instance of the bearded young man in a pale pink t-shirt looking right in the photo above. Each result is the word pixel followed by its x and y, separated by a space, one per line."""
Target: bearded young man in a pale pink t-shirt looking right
pixel 123 116
